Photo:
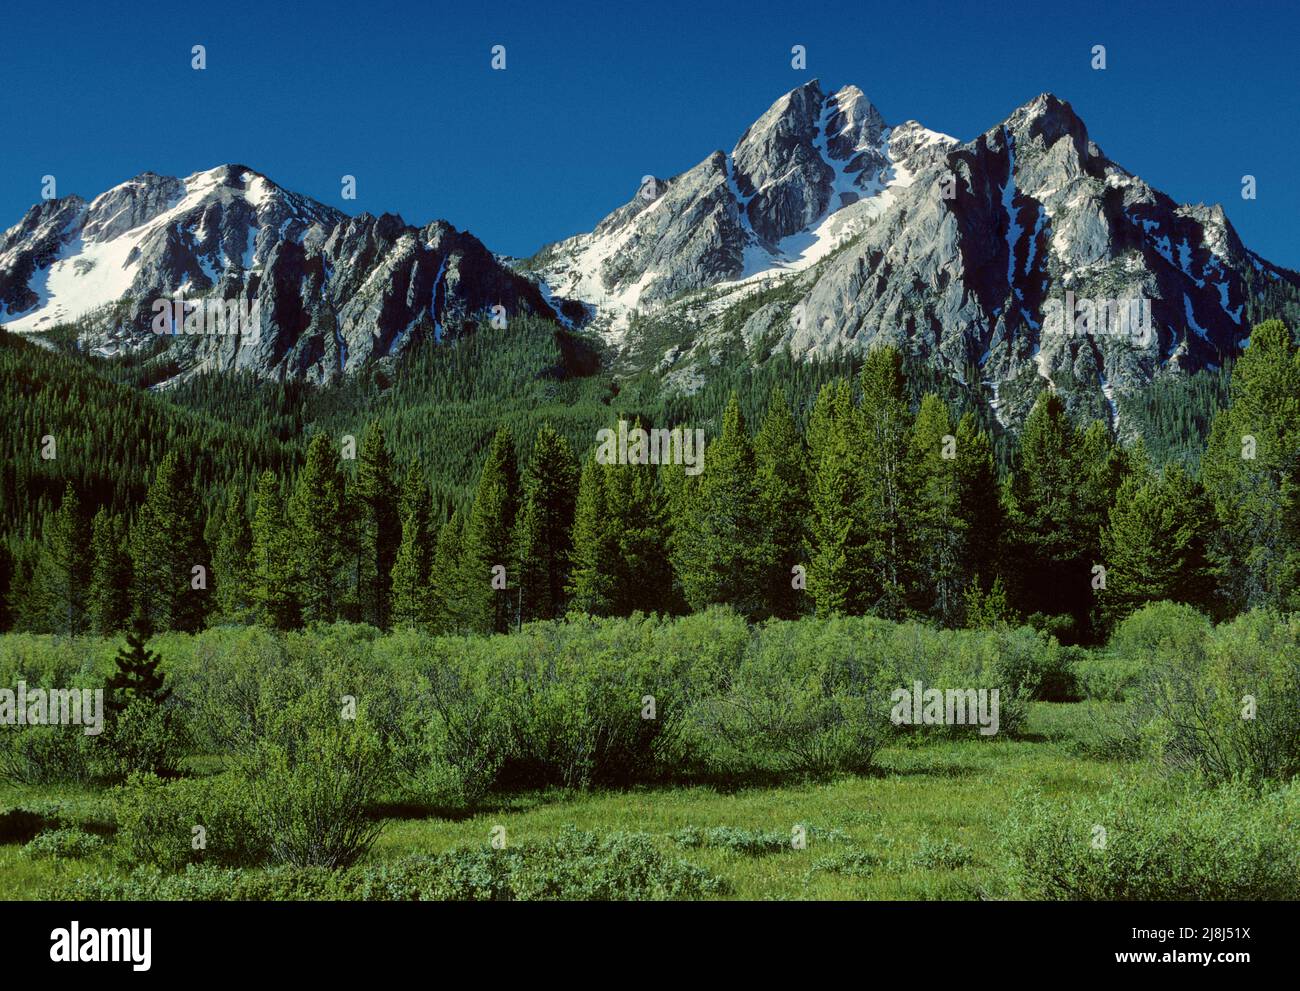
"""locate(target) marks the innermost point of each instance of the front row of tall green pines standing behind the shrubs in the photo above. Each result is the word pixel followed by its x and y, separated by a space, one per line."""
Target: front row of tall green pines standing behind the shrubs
pixel 878 507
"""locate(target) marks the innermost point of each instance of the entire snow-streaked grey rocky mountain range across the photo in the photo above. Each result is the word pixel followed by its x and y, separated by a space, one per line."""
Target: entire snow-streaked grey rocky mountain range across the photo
pixel 824 231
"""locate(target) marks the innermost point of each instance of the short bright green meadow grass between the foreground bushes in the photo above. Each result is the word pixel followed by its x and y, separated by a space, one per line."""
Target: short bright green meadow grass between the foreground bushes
pixel 928 826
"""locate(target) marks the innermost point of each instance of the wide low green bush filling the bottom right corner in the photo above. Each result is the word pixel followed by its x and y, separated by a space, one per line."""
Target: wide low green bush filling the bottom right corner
pixel 1195 846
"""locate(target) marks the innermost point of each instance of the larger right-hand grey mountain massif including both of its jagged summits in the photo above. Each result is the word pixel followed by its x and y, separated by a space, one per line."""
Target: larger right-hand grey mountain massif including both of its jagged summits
pixel 831 231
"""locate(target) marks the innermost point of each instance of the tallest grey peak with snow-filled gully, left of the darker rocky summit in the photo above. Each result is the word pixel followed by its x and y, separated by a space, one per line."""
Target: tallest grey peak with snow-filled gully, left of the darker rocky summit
pixel 809 175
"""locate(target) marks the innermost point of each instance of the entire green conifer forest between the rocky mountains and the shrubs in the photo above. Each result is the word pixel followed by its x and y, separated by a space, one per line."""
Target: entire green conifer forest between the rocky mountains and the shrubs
pixel 460 492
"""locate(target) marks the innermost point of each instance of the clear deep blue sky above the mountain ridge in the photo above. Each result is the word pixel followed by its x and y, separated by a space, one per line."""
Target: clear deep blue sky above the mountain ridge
pixel 597 96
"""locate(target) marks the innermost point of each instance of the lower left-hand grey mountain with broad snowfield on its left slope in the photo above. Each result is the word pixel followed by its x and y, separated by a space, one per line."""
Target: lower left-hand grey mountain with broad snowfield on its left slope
pixel 326 292
